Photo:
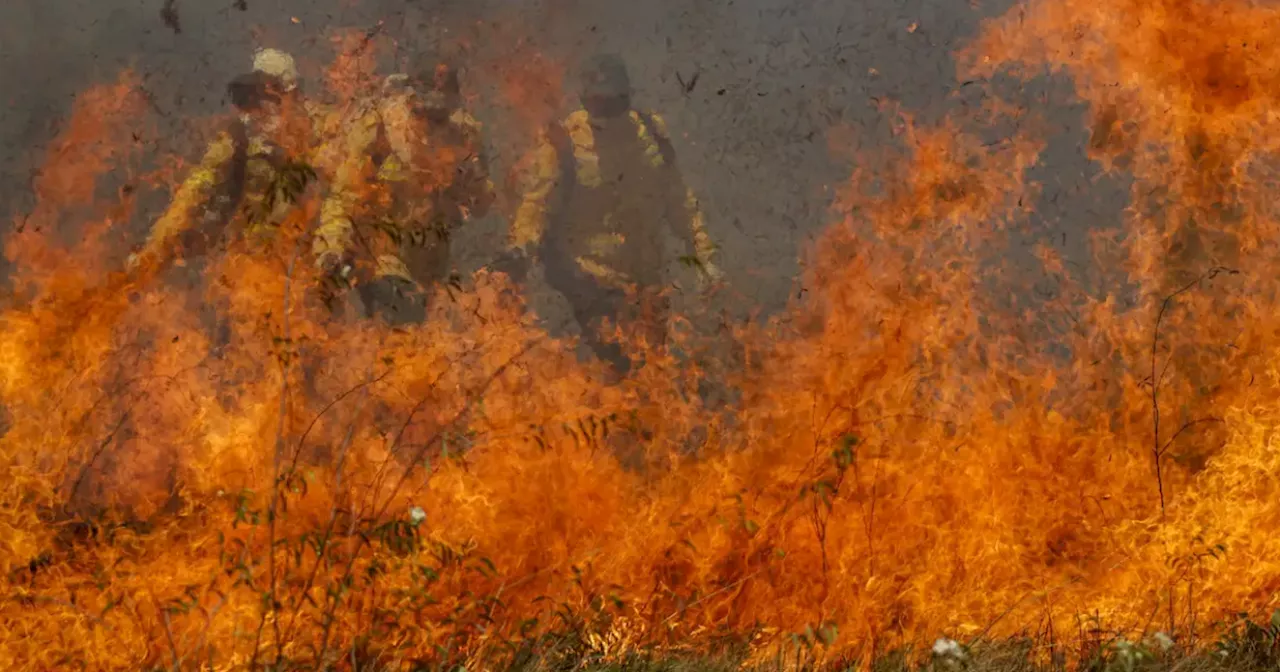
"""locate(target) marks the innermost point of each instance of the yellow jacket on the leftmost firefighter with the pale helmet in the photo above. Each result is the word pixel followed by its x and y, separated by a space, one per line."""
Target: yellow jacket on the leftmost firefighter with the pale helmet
pixel 234 175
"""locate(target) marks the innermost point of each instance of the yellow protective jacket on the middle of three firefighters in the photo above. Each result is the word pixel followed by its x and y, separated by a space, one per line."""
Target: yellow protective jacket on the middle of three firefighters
pixel 400 190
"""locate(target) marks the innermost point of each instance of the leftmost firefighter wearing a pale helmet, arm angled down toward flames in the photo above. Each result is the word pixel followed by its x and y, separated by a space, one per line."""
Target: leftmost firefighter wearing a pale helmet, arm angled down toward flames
pixel 272 131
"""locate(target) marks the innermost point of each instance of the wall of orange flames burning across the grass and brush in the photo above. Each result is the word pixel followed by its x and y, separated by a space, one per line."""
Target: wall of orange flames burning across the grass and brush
pixel 909 452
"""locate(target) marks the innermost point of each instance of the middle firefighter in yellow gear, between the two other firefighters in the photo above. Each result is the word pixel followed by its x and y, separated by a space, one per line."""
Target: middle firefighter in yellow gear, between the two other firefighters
pixel 415 172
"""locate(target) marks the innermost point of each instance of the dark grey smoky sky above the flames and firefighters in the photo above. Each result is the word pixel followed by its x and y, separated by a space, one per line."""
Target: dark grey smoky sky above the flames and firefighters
pixel 751 89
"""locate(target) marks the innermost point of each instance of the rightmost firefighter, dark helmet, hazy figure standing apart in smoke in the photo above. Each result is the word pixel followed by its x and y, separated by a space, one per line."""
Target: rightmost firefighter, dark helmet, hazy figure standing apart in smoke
pixel 604 181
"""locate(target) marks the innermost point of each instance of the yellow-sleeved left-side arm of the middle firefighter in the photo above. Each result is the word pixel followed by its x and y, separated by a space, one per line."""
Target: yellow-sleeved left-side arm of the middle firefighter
pixel 336 235
